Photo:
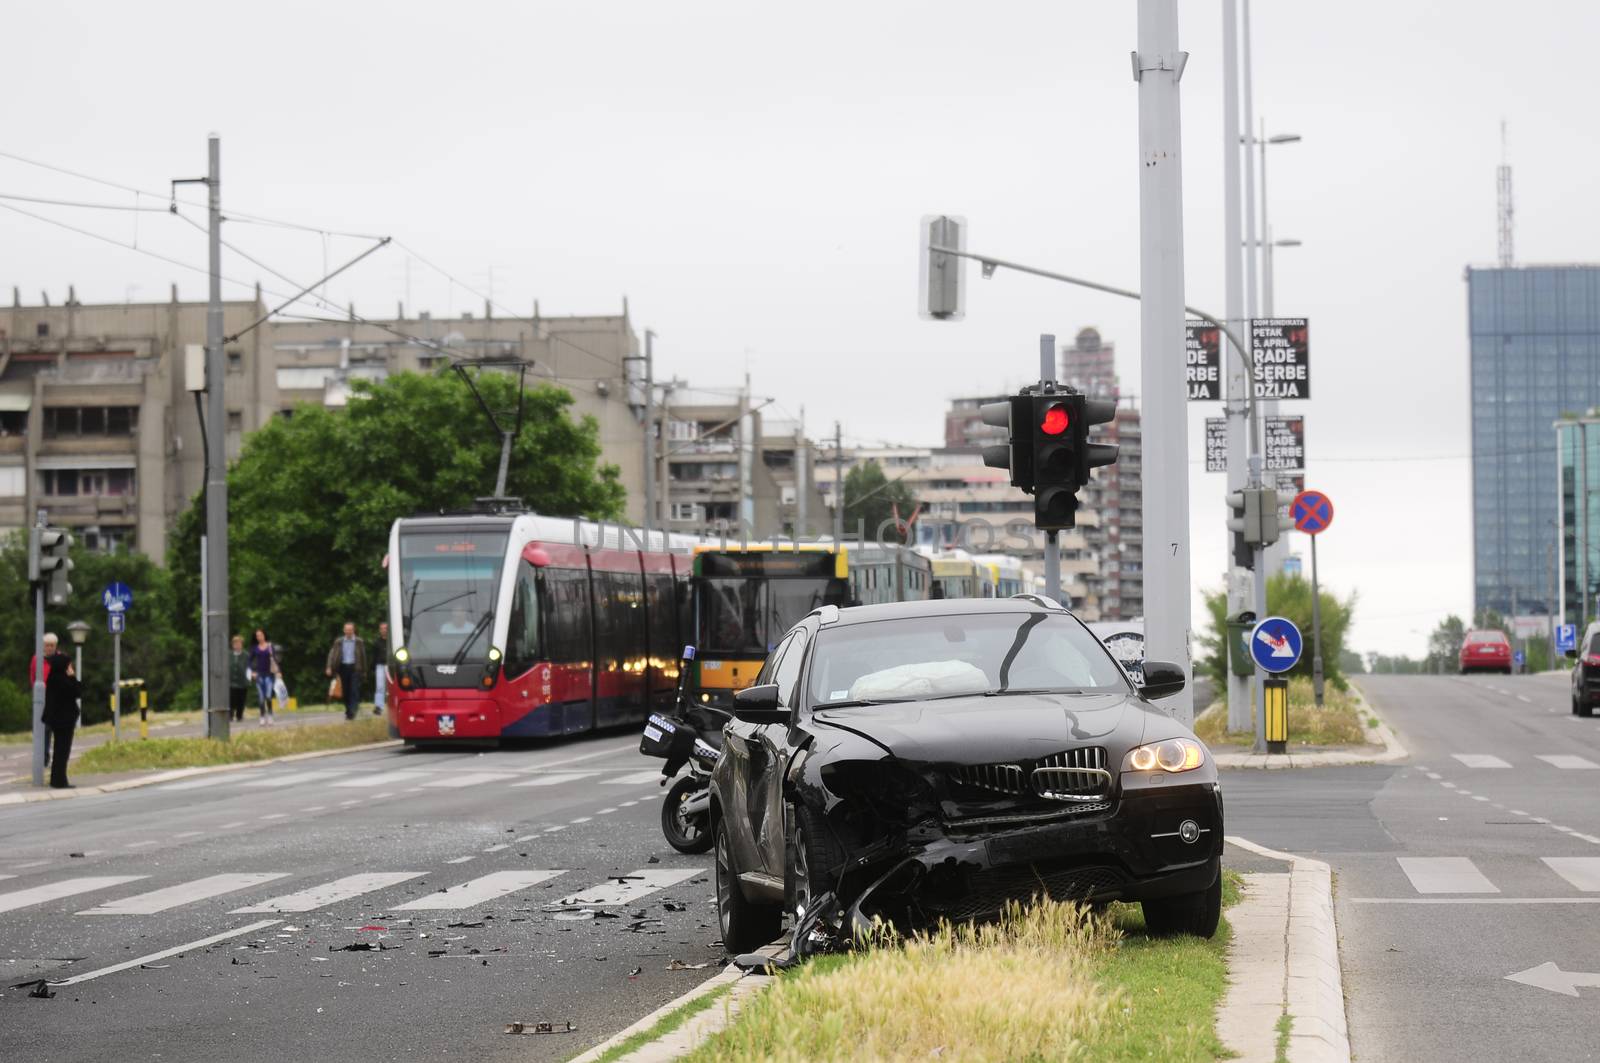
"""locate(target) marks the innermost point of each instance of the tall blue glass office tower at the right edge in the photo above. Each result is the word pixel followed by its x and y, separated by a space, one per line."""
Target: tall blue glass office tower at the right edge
pixel 1535 348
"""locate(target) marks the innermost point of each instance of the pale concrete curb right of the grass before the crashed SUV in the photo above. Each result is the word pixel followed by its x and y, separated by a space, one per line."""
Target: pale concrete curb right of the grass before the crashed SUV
pixel 1313 987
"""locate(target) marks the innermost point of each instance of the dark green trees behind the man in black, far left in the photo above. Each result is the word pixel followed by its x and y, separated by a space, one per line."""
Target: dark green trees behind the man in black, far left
pixel 151 648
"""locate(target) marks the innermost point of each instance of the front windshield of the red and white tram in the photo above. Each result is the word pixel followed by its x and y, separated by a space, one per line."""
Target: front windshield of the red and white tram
pixel 447 592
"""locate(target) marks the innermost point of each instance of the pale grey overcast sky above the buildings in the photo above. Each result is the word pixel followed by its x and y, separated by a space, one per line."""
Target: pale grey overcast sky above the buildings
pixel 753 182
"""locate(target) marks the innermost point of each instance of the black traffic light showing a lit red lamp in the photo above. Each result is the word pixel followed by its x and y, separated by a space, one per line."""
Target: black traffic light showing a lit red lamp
pixel 1049 449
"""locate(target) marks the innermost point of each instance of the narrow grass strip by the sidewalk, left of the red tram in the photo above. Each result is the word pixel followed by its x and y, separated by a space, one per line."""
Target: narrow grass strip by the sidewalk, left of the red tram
pixel 242 748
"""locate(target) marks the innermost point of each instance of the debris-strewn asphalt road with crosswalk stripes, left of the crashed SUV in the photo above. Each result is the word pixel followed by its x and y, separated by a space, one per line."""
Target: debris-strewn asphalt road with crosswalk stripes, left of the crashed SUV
pixel 231 901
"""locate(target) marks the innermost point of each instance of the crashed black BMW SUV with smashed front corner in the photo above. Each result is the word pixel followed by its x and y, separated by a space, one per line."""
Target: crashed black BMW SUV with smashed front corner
pixel 940 760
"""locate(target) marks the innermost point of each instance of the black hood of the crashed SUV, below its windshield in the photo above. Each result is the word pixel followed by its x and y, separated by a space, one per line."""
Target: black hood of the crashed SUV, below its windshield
pixel 994 729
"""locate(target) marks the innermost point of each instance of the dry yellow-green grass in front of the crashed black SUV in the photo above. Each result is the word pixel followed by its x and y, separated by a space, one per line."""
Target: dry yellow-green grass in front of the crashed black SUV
pixel 1049 984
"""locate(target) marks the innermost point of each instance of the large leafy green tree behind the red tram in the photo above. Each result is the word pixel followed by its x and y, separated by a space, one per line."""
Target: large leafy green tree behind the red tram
pixel 313 499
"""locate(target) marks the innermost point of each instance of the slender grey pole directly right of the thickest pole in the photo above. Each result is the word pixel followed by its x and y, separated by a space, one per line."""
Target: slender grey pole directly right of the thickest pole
pixel 1239 383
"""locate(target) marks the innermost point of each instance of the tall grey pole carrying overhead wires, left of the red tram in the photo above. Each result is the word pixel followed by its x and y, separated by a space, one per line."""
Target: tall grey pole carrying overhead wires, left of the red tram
pixel 217 470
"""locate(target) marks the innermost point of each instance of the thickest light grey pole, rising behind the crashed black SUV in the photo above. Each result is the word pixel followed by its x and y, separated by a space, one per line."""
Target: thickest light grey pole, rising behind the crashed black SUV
pixel 1159 66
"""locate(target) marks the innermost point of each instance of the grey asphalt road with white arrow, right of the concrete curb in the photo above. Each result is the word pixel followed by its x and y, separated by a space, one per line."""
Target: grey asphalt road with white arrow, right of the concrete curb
pixel 1476 860
